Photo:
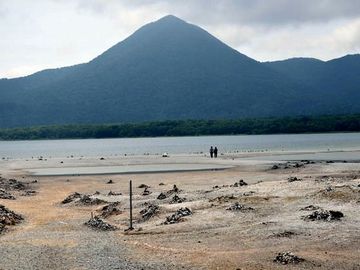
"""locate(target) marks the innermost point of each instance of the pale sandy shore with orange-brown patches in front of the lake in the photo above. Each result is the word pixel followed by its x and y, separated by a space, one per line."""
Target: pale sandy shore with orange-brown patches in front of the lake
pixel 244 210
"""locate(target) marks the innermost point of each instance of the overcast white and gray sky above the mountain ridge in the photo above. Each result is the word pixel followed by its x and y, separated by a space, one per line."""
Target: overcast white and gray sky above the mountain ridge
pixel 39 34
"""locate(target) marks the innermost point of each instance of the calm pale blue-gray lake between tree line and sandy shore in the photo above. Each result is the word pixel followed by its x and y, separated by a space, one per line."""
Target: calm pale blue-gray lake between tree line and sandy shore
pixel 179 145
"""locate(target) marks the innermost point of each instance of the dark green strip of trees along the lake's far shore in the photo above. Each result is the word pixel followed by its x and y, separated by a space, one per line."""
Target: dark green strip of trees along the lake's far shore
pixel 343 123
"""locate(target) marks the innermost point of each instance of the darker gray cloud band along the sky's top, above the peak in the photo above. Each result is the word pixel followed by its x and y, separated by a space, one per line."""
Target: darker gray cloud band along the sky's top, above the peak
pixel 244 11
